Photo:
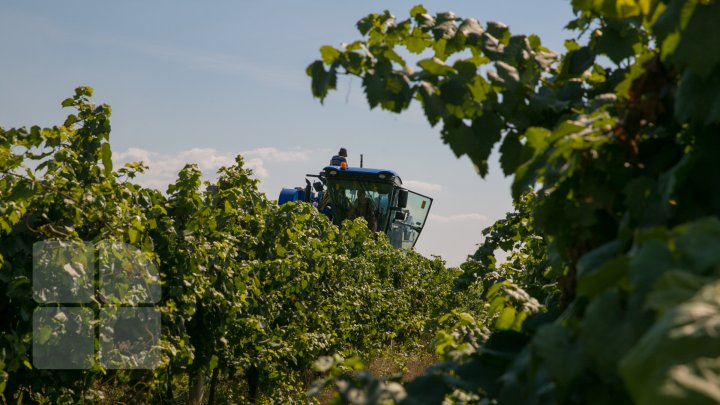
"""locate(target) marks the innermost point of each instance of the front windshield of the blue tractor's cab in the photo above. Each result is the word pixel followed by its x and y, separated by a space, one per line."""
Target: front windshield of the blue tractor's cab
pixel 360 199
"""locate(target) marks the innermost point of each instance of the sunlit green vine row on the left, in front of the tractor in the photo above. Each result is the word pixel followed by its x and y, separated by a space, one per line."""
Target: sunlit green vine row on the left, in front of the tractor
pixel 252 293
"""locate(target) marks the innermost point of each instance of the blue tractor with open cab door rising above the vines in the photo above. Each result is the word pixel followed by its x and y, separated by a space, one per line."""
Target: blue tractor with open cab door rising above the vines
pixel 377 195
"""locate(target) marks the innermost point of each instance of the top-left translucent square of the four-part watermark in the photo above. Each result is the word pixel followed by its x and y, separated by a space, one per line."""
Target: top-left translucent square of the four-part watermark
pixel 63 272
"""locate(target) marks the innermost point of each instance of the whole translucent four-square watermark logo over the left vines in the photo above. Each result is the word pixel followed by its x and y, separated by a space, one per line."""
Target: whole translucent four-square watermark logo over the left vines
pixel 64 337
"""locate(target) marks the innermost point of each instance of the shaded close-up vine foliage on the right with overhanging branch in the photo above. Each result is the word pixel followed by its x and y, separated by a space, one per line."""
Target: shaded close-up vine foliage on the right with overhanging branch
pixel 616 136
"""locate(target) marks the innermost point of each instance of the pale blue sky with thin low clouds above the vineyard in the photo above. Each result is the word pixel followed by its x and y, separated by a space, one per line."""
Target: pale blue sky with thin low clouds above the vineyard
pixel 203 81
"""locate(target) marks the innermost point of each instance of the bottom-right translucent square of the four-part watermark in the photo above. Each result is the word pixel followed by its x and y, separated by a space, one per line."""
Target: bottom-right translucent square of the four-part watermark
pixel 129 338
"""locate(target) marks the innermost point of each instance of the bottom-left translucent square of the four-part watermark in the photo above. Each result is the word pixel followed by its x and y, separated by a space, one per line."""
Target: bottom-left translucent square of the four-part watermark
pixel 63 338
